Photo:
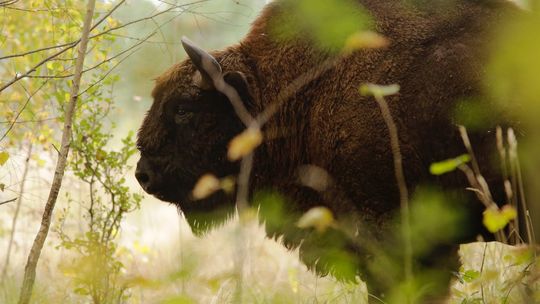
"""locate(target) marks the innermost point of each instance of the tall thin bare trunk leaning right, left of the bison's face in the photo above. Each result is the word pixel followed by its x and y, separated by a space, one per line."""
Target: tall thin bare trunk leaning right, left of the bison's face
pixel 33 257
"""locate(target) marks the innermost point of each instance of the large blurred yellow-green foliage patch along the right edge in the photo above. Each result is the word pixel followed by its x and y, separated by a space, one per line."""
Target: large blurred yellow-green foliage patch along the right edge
pixel 511 81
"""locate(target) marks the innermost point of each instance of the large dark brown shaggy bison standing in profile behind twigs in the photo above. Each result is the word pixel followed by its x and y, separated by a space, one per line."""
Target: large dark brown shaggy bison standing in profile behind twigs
pixel 437 58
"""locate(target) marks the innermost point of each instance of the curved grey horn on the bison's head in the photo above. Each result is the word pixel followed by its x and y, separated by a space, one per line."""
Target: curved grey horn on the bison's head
pixel 206 64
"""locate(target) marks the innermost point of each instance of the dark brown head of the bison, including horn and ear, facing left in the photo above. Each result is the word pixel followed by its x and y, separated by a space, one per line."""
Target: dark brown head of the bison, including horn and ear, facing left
pixel 186 131
